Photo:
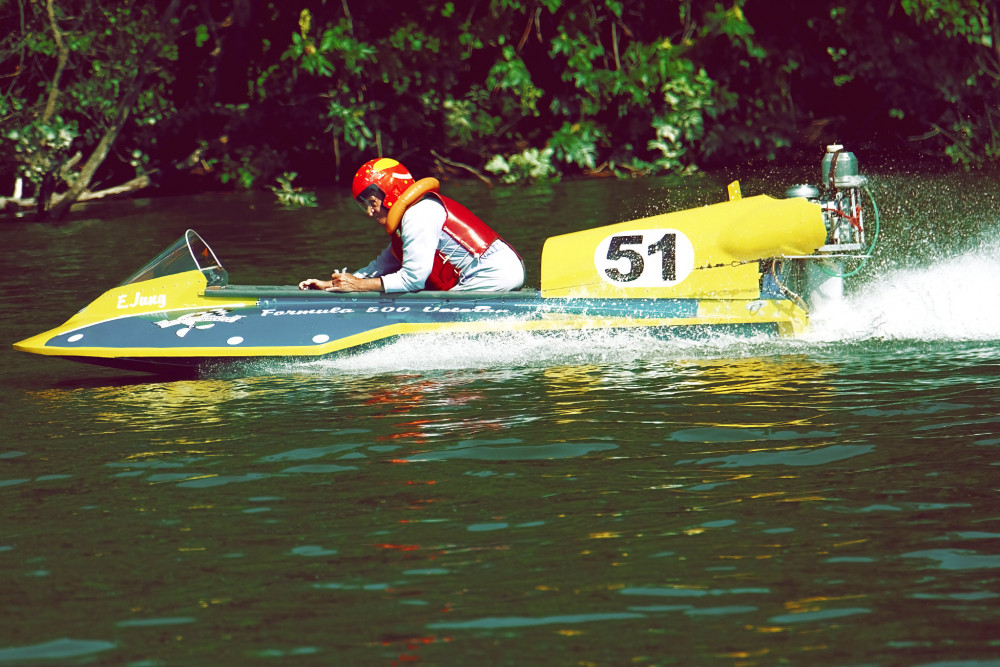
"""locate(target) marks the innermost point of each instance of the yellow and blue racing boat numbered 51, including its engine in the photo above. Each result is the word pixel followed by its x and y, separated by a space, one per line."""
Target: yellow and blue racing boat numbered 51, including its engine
pixel 746 266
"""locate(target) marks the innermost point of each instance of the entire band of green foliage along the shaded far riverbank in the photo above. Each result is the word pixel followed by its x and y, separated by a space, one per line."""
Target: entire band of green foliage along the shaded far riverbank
pixel 530 89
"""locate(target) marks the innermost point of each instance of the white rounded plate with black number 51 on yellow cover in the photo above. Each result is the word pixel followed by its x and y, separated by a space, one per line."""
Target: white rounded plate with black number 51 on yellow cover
pixel 645 258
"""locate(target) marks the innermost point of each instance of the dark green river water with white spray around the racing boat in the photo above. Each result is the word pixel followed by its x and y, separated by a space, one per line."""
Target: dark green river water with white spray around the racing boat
pixel 593 500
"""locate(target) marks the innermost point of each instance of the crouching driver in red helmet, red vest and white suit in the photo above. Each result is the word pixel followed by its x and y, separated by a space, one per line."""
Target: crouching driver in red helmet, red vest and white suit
pixel 436 244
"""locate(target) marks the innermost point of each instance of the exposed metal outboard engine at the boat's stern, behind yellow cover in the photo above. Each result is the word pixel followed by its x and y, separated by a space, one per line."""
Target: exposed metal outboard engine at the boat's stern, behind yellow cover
pixel 839 196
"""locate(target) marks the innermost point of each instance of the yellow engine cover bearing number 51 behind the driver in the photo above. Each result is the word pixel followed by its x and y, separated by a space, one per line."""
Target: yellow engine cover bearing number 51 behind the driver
pixel 708 252
